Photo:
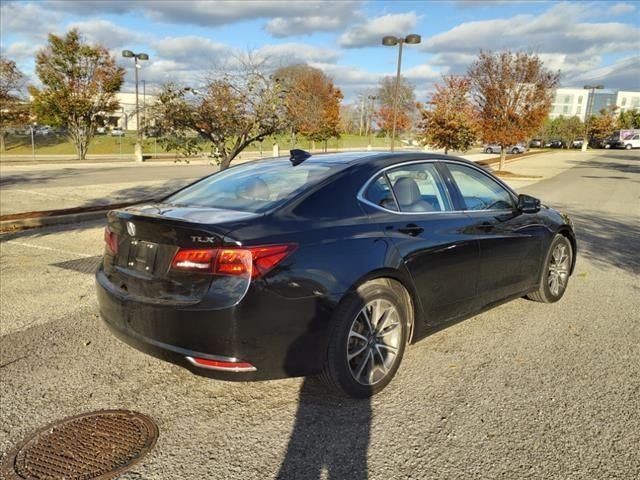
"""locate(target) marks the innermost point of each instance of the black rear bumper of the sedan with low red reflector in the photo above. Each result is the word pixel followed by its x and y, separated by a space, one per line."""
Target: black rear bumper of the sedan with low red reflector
pixel 278 336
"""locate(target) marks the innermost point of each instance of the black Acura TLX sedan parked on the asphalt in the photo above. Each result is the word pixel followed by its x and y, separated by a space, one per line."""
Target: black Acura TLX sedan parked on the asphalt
pixel 327 264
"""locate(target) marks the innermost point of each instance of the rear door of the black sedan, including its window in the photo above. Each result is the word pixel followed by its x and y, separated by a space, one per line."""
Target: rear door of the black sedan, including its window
pixel 412 205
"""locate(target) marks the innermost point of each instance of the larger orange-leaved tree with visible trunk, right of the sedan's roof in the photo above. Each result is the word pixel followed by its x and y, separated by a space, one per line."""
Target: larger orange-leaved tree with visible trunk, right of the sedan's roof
pixel 512 93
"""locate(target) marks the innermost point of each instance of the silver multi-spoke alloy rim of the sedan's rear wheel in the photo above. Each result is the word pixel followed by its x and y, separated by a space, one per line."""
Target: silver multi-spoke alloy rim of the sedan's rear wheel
pixel 374 342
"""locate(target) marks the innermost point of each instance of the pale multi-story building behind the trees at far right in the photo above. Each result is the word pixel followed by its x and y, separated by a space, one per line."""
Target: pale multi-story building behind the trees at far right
pixel 579 102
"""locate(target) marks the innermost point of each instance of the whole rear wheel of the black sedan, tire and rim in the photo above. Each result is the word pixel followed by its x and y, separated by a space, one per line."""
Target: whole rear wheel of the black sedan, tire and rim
pixel 368 337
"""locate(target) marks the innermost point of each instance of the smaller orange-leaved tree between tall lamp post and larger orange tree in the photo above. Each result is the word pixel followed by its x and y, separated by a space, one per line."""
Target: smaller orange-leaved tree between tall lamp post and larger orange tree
pixel 449 121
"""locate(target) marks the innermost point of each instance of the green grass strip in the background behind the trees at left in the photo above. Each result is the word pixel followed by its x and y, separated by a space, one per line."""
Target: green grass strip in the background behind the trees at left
pixel 106 144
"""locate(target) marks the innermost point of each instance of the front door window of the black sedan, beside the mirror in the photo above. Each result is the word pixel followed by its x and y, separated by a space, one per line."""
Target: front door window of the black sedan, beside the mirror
pixel 478 190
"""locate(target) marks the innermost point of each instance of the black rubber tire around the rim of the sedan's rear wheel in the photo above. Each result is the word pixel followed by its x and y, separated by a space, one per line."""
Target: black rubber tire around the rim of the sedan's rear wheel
pixel 337 372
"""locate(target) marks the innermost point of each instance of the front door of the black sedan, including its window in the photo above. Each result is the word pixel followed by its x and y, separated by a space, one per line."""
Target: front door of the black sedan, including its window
pixel 510 241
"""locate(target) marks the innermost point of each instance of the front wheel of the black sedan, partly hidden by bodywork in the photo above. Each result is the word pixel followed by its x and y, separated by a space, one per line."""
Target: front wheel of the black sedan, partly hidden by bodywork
pixel 556 271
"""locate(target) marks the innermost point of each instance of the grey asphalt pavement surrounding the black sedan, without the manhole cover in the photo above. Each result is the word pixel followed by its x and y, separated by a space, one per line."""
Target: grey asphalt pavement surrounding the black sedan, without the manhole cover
pixel 523 391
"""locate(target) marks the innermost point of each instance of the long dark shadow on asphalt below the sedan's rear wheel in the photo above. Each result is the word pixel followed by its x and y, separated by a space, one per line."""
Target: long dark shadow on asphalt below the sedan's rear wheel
pixel 330 437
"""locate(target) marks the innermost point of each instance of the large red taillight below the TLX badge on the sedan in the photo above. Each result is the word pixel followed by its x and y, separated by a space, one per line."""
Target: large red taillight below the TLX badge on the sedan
pixel 250 261
